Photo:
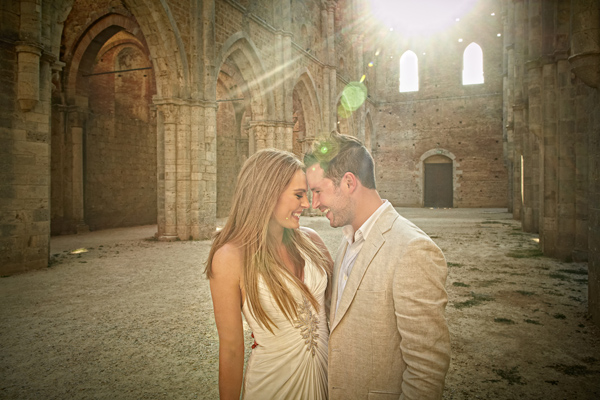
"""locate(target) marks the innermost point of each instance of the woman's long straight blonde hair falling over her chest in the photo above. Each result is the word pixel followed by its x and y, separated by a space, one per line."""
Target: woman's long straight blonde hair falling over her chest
pixel 262 179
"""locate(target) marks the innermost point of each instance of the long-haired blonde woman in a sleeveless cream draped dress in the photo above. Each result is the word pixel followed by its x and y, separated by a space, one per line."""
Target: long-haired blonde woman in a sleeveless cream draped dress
pixel 264 265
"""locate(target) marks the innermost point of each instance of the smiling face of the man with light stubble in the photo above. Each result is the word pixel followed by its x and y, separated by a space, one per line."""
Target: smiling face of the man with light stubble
pixel 329 198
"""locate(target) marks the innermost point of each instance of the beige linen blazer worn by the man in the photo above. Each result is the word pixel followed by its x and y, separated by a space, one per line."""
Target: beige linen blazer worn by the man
pixel 389 338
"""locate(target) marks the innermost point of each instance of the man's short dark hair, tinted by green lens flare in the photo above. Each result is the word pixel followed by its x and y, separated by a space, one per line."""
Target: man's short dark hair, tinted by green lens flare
pixel 339 154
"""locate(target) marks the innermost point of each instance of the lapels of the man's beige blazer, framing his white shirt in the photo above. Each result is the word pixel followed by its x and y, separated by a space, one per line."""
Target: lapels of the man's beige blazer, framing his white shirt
pixel 374 242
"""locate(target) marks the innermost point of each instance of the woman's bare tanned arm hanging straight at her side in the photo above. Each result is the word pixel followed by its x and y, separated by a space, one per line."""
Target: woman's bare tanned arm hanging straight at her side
pixel 225 288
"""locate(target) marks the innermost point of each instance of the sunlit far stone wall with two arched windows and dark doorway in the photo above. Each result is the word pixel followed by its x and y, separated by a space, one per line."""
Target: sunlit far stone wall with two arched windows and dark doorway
pixel 443 116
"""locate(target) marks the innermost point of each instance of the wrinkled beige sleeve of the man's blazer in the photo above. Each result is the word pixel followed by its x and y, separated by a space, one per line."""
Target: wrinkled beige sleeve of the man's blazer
pixel 420 299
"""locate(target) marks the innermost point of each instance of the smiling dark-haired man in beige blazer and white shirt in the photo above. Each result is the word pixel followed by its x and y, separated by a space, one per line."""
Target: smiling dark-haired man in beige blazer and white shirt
pixel 388 335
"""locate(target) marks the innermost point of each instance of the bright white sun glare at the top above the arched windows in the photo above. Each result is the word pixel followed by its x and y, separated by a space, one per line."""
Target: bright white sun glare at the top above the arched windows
pixel 424 17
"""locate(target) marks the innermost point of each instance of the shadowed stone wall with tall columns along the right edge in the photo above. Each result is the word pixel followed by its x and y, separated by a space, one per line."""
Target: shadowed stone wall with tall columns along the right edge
pixel 550 117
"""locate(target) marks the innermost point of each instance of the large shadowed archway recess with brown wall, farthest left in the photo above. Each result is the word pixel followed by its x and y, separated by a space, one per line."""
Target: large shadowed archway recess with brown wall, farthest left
pixel 103 155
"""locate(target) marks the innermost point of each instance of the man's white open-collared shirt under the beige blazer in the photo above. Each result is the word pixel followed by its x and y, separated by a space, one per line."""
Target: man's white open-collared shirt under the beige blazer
pixel 356 240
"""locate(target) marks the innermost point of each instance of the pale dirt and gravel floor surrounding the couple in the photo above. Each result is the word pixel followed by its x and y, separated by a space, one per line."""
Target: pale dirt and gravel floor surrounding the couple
pixel 131 318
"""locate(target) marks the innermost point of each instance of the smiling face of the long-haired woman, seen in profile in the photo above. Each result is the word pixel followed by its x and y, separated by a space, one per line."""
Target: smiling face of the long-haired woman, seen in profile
pixel 291 203
